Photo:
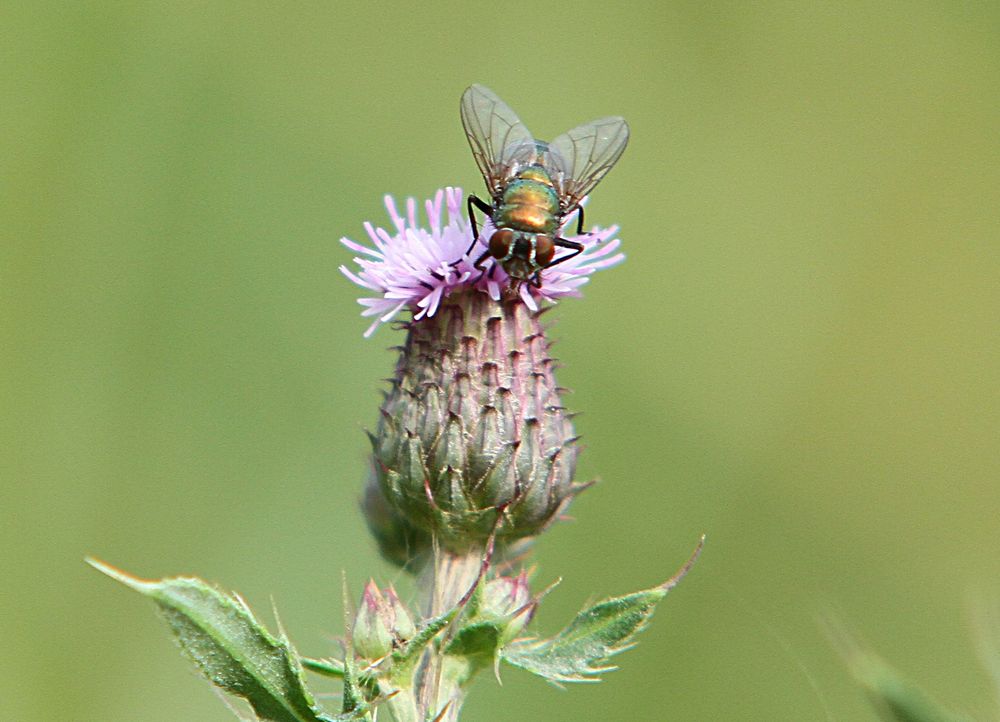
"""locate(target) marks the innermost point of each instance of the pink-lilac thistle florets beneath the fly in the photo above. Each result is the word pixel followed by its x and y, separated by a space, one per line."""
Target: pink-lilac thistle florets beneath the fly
pixel 414 267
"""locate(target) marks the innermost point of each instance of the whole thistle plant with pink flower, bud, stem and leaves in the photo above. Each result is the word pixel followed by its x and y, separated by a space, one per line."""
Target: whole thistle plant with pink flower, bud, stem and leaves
pixel 473 456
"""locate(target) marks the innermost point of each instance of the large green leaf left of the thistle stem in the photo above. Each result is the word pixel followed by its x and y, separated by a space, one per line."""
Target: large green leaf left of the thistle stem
pixel 219 633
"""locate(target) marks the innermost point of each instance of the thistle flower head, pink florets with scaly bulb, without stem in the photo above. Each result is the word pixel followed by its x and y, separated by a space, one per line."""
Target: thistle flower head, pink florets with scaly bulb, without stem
pixel 473 440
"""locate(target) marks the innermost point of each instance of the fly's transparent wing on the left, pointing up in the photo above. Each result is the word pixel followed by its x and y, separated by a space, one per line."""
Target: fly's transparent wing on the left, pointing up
pixel 500 142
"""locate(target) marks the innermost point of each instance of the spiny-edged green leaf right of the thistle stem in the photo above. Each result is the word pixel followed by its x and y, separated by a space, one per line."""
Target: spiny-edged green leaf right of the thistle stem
pixel 581 652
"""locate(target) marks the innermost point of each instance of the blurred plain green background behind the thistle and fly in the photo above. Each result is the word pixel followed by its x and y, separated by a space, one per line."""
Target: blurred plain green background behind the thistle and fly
pixel 800 356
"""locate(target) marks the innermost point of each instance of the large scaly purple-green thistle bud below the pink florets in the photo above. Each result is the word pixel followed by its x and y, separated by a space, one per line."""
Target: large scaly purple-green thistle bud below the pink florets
pixel 473 436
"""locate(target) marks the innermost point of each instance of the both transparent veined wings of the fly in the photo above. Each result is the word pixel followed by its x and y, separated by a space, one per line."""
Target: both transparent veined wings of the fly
pixel 576 160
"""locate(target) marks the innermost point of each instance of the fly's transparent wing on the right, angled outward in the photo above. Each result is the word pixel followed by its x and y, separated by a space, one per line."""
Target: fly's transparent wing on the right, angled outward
pixel 578 159
